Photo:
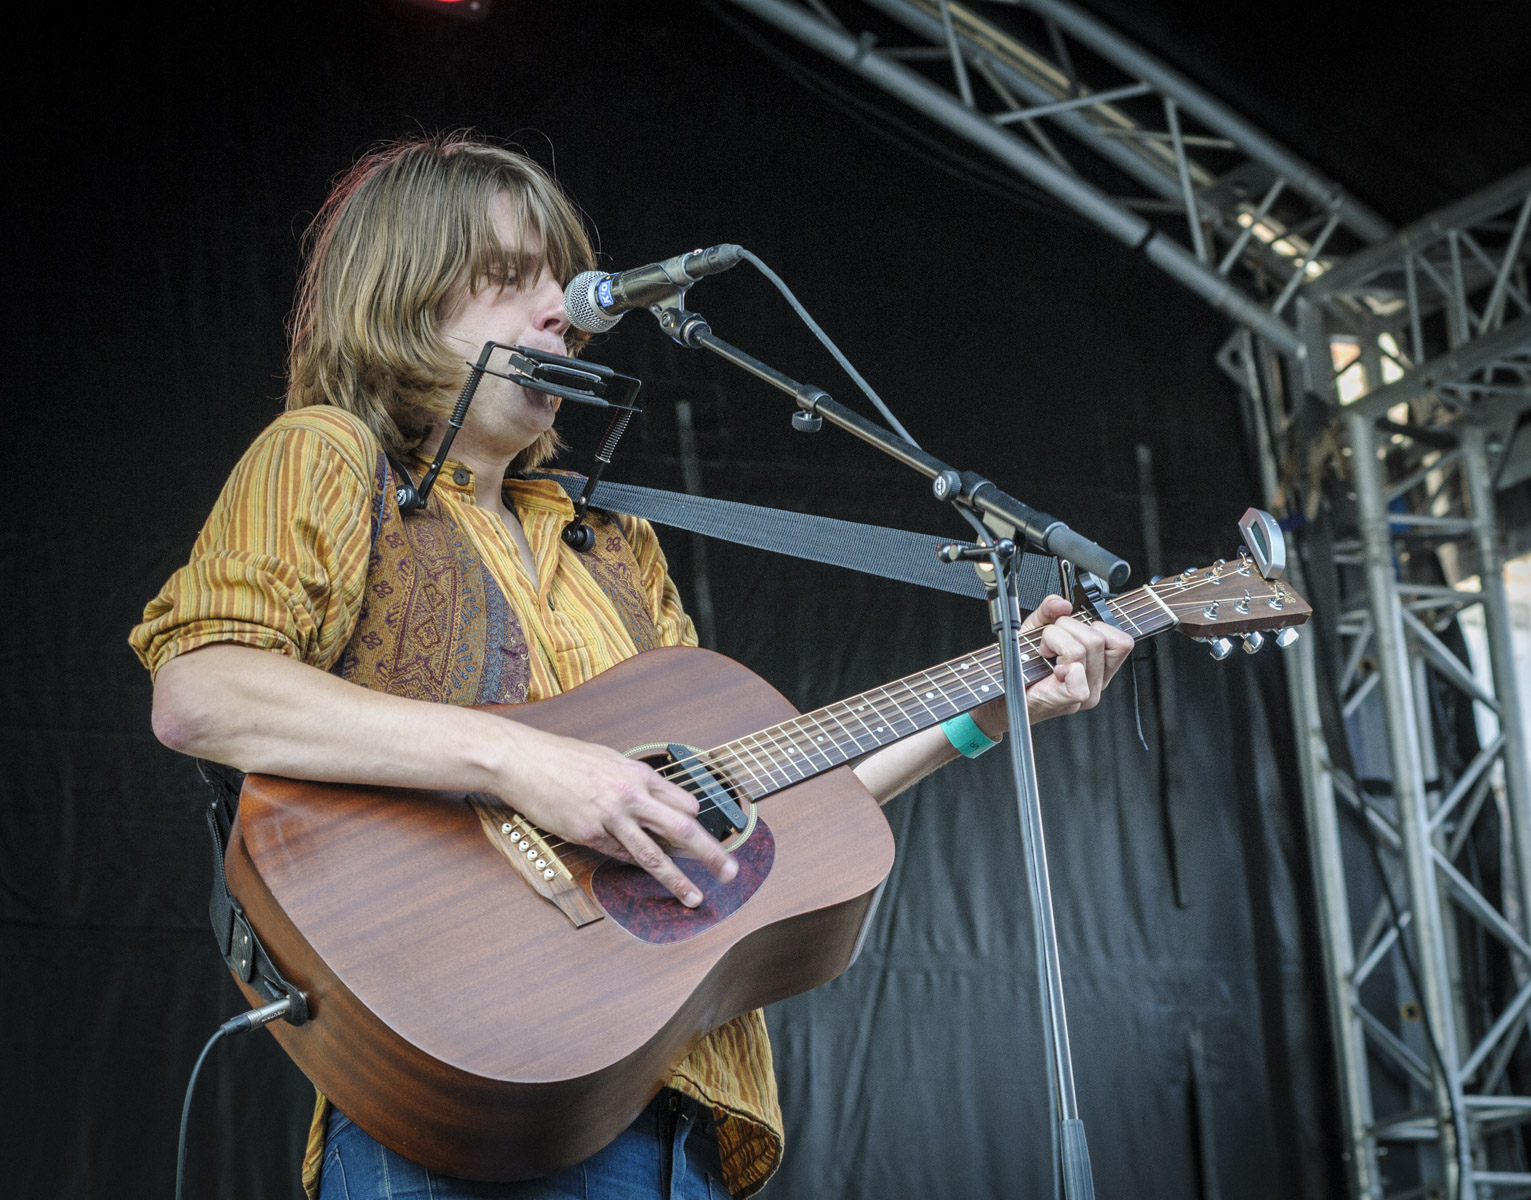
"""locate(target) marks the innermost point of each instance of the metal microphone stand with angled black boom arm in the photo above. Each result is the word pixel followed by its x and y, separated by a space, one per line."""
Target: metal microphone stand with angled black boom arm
pixel 1004 518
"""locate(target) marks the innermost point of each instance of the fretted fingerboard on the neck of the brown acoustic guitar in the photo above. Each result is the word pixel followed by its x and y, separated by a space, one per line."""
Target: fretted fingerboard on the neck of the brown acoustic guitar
pixel 838 734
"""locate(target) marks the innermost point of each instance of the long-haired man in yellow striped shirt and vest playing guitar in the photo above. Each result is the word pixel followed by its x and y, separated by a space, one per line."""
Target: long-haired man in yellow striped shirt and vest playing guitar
pixel 292 645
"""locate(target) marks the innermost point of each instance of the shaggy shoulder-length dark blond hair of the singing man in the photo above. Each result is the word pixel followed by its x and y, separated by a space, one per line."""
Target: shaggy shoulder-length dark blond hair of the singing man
pixel 402 235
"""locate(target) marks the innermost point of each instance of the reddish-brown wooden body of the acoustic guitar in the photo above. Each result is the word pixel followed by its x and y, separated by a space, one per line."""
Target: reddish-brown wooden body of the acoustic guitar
pixel 462 1019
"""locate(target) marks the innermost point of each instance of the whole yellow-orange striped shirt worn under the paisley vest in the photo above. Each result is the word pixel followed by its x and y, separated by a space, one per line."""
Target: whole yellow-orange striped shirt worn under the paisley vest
pixel 282 564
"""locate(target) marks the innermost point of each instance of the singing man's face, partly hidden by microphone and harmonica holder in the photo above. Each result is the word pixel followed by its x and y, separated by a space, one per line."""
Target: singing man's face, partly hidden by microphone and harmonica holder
pixel 506 419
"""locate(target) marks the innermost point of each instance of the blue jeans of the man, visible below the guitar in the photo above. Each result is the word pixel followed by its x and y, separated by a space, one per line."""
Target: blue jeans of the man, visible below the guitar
pixel 670 1153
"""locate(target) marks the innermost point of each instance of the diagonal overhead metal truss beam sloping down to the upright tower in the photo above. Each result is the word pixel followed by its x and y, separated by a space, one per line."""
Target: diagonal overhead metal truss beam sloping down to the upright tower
pixel 1103 128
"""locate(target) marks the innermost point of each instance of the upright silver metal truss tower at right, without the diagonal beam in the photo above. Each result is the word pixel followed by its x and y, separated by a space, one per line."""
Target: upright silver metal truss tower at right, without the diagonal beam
pixel 1422 347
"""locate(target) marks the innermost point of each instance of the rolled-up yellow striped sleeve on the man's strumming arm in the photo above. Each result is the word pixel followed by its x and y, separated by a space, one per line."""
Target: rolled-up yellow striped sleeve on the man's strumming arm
pixel 281 564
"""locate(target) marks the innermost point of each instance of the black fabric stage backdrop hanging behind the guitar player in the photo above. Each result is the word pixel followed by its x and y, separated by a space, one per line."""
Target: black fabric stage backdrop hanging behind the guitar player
pixel 160 183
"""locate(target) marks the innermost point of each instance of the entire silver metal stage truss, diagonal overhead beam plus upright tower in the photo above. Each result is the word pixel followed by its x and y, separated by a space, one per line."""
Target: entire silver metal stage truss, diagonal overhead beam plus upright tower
pixel 1385 374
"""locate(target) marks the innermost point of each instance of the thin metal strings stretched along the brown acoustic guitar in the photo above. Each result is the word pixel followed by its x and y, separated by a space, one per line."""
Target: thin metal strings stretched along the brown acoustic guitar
pixel 1140 604
